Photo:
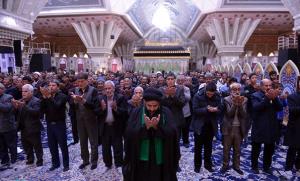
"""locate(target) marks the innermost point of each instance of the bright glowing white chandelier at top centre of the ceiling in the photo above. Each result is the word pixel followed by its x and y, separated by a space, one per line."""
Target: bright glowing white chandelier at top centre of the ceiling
pixel 161 18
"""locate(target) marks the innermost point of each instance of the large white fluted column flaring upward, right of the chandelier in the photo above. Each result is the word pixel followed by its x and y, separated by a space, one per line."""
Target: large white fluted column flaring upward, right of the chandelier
pixel 230 39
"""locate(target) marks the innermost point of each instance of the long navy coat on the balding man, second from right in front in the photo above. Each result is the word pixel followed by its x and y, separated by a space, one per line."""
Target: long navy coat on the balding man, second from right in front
pixel 265 127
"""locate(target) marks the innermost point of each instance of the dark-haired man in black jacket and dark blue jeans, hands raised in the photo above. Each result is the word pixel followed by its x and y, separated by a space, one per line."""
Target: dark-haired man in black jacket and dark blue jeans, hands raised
pixel 53 104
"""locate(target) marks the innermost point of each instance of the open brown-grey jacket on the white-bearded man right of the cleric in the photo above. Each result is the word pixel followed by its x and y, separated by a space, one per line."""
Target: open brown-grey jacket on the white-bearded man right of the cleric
pixel 229 113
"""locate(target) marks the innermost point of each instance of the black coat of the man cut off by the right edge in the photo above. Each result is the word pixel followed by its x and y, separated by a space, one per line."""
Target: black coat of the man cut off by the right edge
pixel 292 136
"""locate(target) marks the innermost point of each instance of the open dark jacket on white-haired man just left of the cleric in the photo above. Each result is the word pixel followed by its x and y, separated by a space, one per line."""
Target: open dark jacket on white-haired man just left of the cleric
pixel 120 115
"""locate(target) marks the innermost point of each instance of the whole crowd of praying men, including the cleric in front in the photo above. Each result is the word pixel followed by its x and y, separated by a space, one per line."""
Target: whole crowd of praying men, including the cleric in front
pixel 143 119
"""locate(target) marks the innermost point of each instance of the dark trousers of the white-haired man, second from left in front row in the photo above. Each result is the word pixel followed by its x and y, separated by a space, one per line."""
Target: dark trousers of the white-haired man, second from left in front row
pixel 32 141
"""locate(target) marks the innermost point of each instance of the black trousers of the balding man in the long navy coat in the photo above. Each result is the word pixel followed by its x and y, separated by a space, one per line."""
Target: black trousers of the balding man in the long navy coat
pixel 267 154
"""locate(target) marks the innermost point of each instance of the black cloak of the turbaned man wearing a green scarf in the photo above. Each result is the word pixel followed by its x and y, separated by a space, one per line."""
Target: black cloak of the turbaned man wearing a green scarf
pixel 135 133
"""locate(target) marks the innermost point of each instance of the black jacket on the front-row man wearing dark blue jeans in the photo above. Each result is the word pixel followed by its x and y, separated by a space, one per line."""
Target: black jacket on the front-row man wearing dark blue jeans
pixel 55 108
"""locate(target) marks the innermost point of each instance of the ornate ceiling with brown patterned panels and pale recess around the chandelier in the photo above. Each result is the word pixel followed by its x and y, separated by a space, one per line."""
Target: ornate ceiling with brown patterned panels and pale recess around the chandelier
pixel 189 17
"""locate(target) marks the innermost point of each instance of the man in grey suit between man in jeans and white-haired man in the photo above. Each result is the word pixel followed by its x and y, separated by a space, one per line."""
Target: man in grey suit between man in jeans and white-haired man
pixel 87 106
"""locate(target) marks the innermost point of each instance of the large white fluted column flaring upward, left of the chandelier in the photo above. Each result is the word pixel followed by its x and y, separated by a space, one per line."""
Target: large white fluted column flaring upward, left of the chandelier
pixel 99 41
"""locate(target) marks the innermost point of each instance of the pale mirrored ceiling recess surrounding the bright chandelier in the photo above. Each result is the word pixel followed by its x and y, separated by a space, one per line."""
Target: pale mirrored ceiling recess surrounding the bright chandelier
pixel 183 13
